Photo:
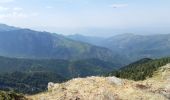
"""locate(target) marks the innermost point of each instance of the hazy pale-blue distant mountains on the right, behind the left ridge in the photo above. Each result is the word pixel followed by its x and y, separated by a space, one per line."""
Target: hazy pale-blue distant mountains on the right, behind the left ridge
pixel 133 46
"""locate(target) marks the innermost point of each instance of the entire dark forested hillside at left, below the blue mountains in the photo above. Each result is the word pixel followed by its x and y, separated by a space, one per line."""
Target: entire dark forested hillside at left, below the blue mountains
pixel 31 76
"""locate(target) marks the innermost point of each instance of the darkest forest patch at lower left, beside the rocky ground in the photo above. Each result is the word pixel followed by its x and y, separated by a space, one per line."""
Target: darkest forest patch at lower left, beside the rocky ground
pixel 28 83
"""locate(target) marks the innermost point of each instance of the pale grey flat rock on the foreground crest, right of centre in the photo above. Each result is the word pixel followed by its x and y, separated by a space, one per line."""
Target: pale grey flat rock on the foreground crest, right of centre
pixel 114 80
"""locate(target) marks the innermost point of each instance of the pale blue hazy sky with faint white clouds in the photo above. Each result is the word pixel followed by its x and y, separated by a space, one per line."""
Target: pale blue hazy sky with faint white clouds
pixel 88 17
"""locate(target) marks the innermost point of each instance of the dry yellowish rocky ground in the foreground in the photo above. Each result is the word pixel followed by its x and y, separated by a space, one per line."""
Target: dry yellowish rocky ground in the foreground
pixel 110 88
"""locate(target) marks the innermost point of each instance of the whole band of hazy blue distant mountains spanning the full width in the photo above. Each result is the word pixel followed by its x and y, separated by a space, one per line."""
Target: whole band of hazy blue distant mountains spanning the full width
pixel 121 49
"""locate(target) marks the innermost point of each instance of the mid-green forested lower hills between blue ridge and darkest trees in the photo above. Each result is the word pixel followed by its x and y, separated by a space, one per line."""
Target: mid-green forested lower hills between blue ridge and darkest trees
pixel 64 68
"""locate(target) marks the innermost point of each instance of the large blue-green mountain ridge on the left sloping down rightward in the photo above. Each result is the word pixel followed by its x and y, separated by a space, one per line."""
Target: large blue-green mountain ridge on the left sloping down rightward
pixel 26 43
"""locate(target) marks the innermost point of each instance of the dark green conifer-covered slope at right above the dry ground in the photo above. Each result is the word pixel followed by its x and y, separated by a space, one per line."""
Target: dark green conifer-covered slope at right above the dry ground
pixel 141 69
